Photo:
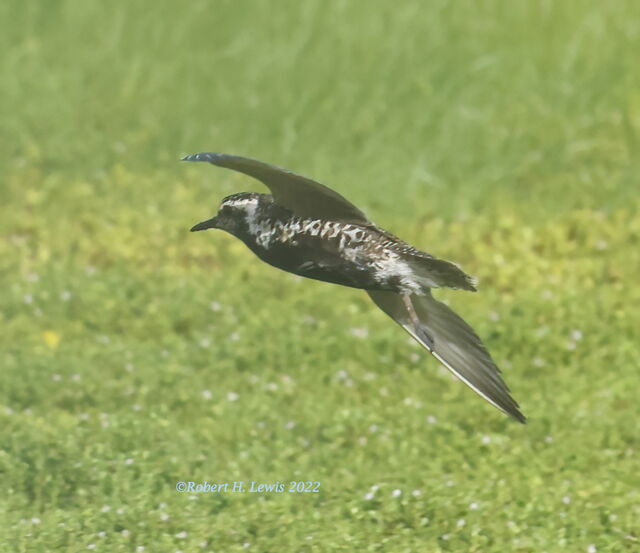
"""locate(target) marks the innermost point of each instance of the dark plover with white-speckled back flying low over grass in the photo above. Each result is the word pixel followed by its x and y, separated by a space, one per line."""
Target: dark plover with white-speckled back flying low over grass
pixel 306 228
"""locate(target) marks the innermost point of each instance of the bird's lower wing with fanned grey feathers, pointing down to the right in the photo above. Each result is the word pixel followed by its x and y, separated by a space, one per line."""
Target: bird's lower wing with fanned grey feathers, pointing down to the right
pixel 454 343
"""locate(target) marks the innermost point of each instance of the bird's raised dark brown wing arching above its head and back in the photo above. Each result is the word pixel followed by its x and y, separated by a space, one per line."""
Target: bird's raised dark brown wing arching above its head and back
pixel 303 196
